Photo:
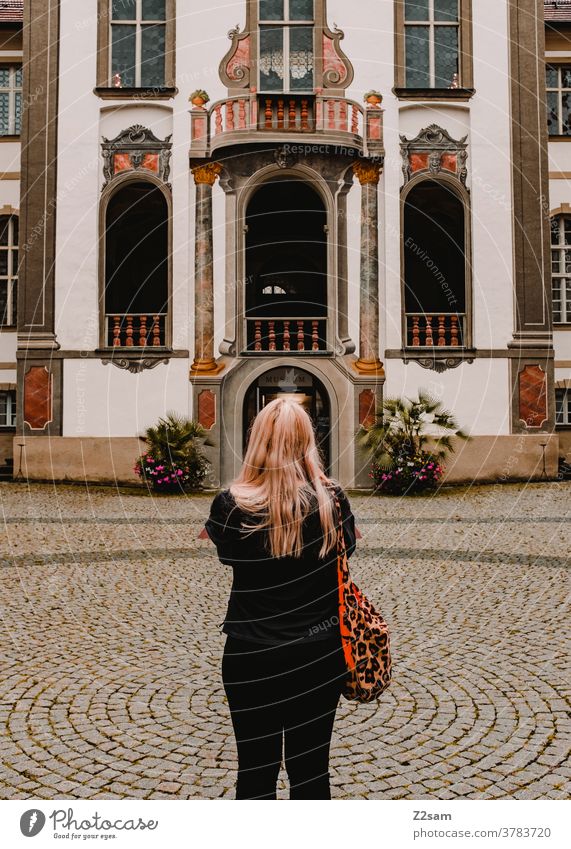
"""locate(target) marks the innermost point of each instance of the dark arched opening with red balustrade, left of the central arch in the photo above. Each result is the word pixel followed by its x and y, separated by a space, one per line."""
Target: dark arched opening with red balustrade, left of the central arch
pixel 136 266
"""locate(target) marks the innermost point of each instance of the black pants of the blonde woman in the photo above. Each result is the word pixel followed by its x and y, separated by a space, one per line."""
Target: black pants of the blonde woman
pixel 284 694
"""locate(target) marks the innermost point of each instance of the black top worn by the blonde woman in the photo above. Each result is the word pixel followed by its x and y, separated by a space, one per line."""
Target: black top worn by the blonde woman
pixel 277 600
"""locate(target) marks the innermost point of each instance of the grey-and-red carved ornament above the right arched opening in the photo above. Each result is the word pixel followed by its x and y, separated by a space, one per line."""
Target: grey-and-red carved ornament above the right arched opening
pixel 434 152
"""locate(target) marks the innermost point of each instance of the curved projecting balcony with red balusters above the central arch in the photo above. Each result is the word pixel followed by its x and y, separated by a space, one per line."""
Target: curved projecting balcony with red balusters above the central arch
pixel 306 119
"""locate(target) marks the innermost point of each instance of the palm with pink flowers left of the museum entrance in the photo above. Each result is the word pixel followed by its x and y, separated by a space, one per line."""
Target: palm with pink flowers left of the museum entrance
pixel 174 460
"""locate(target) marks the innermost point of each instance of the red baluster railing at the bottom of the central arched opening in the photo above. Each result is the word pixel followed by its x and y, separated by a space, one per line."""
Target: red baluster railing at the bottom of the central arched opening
pixel 286 335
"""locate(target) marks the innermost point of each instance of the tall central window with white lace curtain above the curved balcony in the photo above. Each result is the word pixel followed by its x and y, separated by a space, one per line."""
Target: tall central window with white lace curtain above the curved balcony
pixel 286 55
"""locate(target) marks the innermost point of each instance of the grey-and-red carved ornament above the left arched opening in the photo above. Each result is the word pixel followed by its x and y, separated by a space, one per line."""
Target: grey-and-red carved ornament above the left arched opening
pixel 136 149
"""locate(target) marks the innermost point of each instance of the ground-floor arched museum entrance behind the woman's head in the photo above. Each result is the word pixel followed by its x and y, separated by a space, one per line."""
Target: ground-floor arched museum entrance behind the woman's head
pixel 304 388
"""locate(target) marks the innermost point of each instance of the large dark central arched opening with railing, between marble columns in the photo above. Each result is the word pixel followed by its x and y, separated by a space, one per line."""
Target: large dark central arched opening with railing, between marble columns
pixel 286 268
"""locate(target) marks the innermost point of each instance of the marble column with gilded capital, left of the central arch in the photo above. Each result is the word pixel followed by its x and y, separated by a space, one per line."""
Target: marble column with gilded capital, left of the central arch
pixel 204 361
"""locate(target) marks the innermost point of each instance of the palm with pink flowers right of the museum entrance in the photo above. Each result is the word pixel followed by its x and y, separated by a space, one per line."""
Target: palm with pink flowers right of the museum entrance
pixel 403 461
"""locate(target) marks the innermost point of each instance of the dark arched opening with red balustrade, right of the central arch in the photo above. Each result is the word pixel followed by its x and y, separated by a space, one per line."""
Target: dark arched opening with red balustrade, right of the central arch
pixel 434 266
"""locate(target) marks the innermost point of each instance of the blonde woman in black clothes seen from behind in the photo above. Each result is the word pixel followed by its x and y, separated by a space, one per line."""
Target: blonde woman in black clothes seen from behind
pixel 283 665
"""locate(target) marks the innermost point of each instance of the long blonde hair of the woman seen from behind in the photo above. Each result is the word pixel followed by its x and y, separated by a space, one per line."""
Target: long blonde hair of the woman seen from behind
pixel 281 477
